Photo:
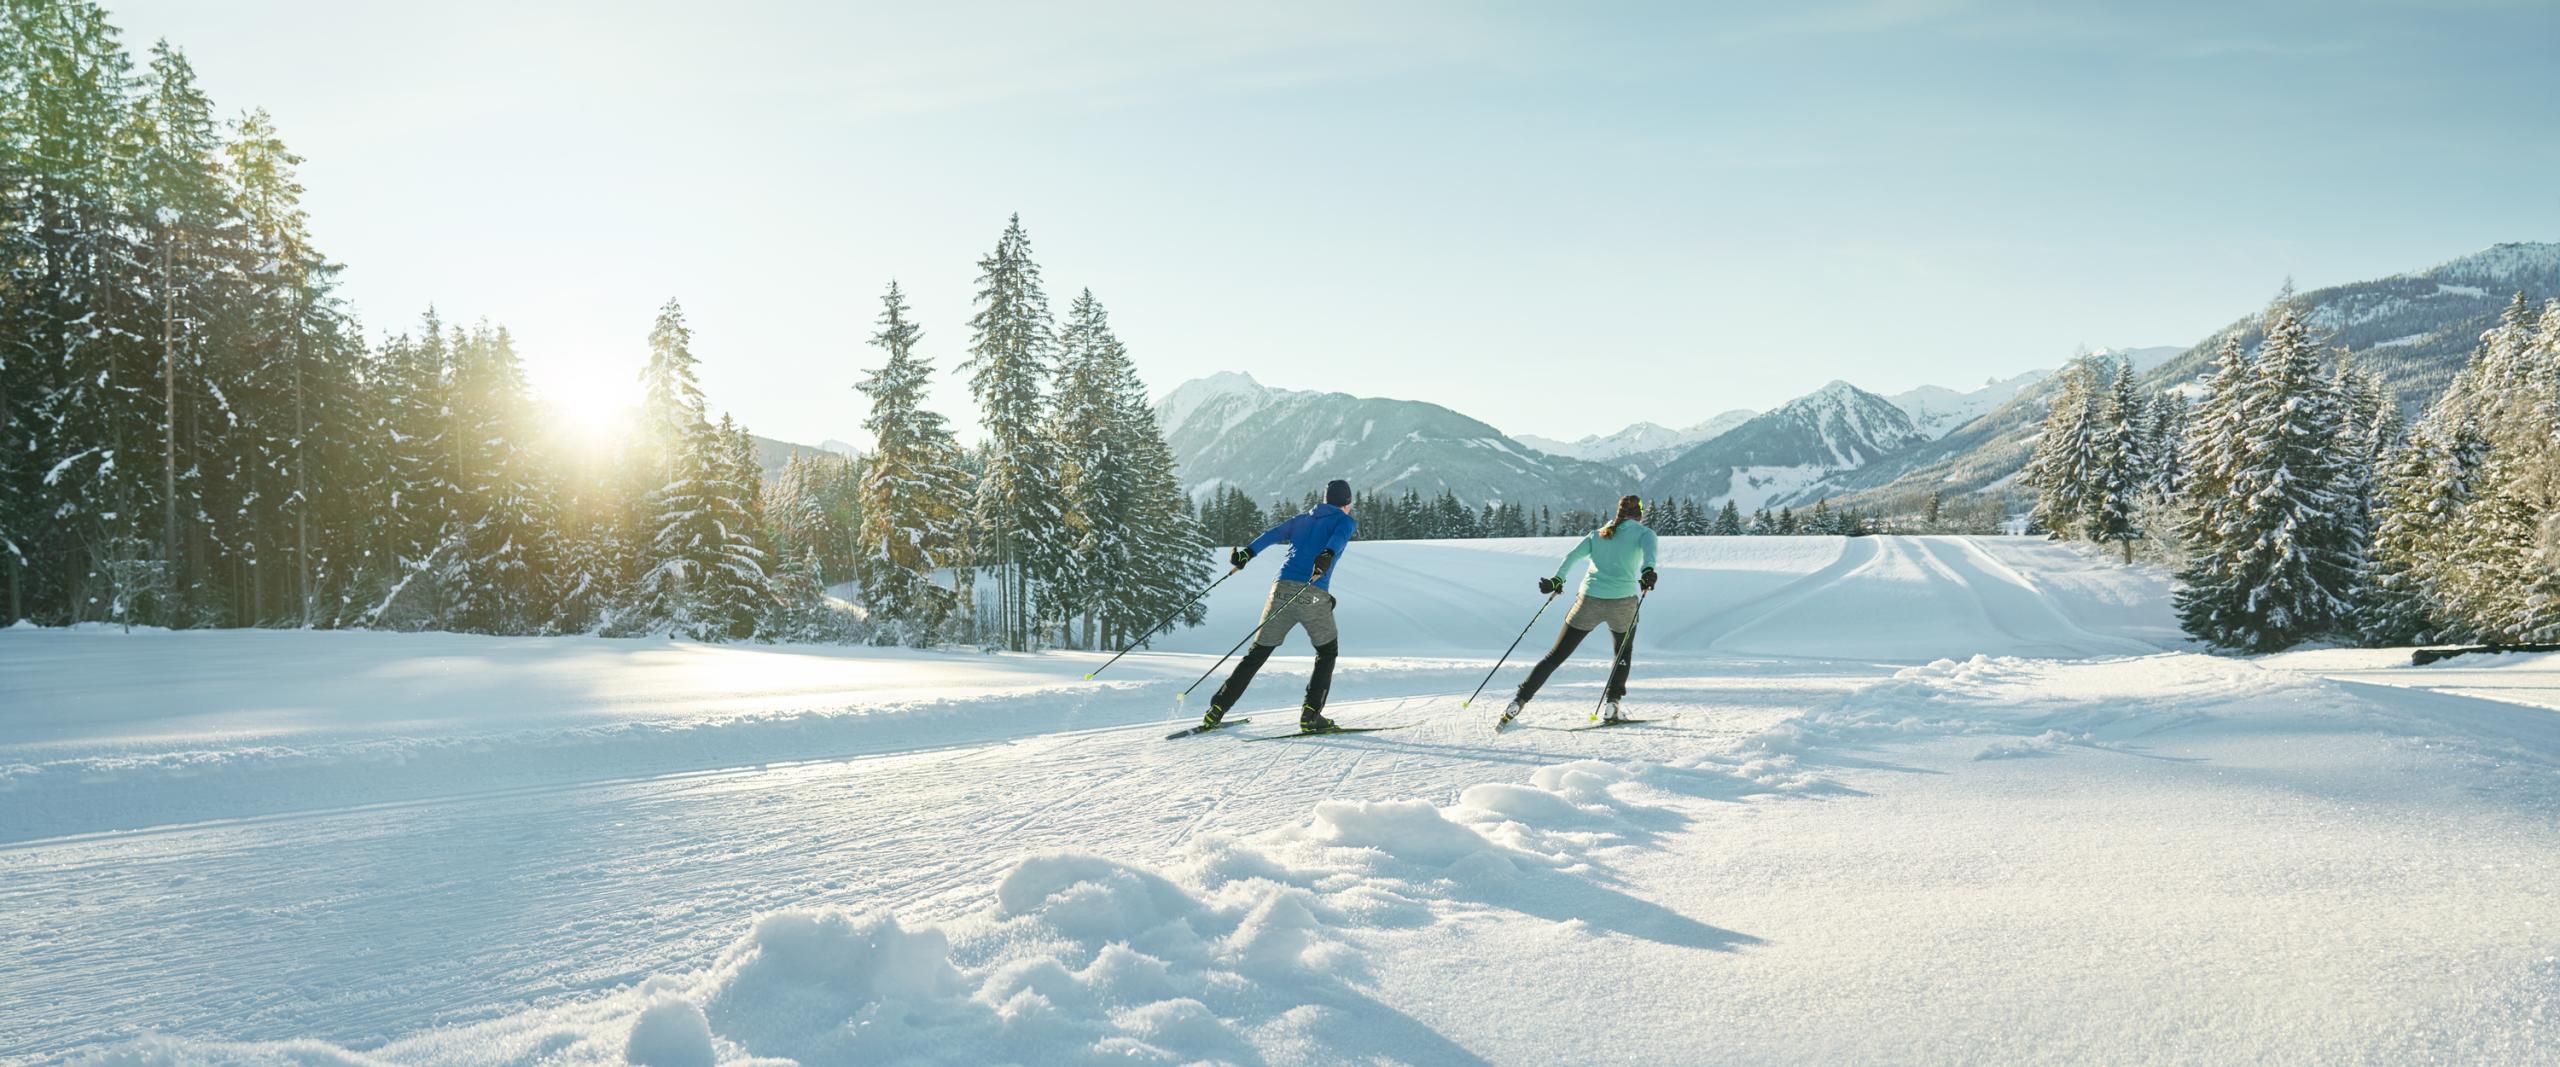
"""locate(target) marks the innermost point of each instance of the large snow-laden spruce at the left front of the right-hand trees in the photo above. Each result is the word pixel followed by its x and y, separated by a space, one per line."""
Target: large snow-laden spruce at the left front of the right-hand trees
pixel 2282 559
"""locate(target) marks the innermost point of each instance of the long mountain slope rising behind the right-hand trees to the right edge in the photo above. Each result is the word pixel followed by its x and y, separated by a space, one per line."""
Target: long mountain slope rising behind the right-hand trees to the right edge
pixel 2415 329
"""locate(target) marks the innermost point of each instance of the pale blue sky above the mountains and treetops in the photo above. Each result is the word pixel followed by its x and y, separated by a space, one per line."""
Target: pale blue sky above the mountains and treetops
pixel 1558 219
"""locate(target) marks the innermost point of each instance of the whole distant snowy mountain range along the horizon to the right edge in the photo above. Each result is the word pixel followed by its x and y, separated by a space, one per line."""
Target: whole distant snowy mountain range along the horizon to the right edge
pixel 1842 441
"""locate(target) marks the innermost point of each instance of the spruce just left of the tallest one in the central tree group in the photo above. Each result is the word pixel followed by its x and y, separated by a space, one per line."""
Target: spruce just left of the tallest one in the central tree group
pixel 913 490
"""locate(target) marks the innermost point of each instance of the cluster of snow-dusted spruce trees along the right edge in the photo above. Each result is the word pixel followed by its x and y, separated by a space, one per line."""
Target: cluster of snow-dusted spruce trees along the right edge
pixel 2300 505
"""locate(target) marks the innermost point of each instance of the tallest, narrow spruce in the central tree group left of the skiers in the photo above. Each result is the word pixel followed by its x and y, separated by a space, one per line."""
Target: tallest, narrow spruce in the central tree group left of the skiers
pixel 1020 523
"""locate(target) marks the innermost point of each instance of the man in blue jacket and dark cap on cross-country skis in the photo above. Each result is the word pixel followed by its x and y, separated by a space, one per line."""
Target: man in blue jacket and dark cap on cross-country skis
pixel 1302 597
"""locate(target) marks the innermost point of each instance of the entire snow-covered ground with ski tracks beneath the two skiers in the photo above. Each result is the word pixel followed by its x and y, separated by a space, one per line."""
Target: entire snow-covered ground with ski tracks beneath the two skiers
pixel 1908 800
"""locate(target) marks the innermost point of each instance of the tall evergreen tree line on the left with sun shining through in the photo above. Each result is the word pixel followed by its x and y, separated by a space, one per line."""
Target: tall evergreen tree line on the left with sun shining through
pixel 198 434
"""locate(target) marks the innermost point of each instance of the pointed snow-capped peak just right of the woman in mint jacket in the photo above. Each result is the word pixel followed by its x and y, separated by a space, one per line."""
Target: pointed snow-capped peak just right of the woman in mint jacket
pixel 1778 457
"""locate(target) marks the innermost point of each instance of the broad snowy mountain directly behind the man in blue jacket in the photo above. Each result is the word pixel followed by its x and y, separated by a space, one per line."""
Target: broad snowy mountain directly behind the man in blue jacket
pixel 1233 431
